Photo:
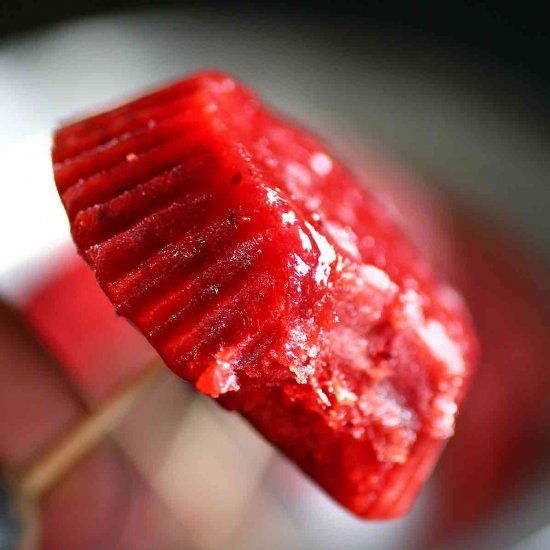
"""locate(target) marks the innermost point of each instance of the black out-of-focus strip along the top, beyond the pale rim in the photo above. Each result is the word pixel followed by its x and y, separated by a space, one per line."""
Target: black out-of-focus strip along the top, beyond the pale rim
pixel 512 37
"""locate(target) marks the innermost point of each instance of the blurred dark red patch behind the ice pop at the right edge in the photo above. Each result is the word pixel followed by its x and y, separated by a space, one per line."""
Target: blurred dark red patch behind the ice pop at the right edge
pixel 503 433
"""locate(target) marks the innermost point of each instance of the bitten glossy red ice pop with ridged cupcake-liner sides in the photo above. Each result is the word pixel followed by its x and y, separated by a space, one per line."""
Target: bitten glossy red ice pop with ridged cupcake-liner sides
pixel 263 272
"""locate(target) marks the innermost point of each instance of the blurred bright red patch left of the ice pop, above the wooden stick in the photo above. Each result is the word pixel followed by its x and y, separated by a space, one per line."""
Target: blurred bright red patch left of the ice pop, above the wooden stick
pixel 78 324
